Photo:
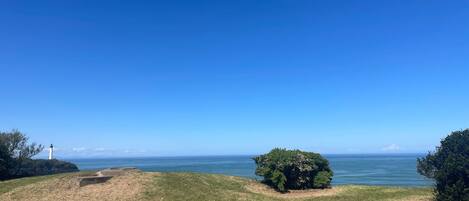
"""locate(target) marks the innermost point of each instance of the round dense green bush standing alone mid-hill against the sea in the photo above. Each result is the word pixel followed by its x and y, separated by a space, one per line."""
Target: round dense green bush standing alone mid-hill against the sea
pixel 293 169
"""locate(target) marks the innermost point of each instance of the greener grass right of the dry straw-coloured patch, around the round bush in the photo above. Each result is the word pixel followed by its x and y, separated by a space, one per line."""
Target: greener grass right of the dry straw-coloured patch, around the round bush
pixel 205 187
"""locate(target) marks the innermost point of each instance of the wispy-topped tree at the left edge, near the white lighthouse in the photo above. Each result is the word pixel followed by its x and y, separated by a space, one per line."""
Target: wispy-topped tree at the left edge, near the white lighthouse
pixel 14 151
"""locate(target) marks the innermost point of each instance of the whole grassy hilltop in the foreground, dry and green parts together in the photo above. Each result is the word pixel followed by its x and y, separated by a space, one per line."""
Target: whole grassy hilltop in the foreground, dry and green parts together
pixel 142 186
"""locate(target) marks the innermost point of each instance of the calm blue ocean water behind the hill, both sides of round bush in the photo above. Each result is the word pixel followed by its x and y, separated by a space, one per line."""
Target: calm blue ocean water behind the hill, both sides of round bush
pixel 366 169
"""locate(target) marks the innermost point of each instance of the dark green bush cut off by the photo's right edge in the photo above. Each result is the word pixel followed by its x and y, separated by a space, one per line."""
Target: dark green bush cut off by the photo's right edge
pixel 449 167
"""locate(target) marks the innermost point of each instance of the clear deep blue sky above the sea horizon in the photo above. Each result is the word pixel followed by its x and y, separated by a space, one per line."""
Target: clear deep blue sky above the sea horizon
pixel 166 78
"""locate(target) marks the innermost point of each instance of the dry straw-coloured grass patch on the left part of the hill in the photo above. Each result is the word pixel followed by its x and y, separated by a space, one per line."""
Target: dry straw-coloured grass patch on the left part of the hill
pixel 126 187
